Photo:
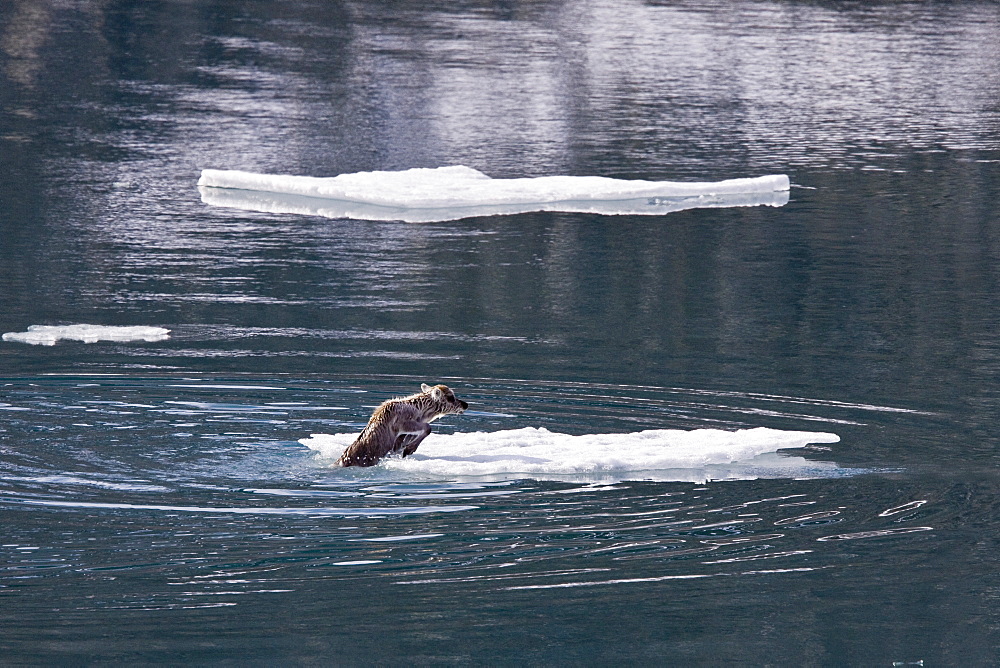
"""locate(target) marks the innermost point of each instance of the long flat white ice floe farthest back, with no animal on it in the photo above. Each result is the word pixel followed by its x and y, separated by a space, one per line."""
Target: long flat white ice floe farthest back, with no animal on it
pixel 450 193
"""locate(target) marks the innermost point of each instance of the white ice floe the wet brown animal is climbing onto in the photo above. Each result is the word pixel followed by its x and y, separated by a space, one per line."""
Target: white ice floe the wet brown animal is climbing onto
pixel 658 454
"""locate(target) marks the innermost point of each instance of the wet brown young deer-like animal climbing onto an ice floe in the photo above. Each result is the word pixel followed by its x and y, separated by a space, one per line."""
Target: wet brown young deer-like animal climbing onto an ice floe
pixel 399 425
